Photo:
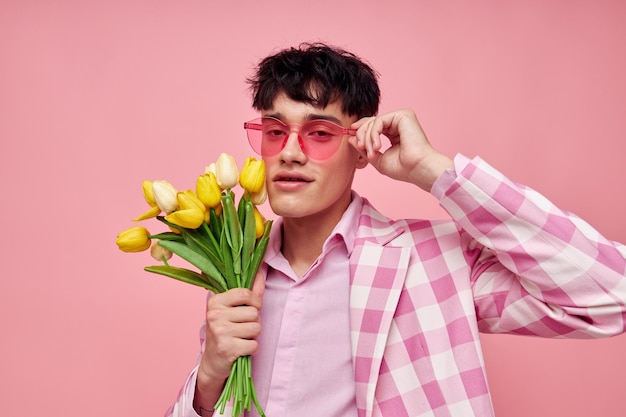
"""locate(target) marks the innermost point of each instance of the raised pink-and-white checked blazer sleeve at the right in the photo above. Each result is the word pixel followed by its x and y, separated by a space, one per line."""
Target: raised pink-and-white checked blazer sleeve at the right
pixel 538 270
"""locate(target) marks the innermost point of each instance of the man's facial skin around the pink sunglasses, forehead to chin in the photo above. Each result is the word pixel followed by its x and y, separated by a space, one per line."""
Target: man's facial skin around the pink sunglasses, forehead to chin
pixel 300 187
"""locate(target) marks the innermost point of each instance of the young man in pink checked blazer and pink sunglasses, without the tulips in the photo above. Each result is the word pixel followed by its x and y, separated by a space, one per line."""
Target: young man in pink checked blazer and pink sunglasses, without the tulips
pixel 365 316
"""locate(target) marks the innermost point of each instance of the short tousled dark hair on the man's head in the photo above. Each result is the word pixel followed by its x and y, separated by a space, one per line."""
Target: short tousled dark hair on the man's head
pixel 317 74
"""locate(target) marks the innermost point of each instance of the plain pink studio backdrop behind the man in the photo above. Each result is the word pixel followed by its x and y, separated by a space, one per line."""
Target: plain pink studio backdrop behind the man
pixel 96 96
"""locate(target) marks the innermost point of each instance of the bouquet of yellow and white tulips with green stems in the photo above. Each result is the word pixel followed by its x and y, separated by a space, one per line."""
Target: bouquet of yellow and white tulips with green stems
pixel 225 243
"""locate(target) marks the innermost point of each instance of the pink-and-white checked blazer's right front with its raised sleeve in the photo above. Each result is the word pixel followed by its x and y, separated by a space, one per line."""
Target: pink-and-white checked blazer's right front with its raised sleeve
pixel 509 261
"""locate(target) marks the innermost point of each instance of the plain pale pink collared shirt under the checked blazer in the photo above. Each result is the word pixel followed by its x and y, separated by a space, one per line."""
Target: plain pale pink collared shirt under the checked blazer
pixel 306 330
